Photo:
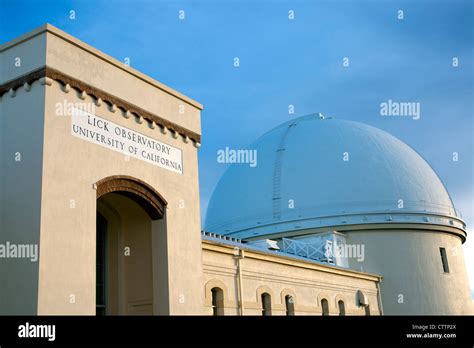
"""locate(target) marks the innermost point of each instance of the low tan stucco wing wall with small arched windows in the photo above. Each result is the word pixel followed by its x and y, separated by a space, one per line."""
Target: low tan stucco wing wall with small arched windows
pixel 307 282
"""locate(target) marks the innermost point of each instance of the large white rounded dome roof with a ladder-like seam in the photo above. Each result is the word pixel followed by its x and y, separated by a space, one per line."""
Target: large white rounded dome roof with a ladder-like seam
pixel 301 181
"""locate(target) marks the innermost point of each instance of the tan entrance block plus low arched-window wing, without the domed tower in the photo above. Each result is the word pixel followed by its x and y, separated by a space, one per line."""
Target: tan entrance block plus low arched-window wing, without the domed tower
pixel 99 171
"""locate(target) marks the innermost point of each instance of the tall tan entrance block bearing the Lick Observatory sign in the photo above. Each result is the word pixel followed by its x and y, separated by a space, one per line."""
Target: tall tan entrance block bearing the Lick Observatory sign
pixel 69 179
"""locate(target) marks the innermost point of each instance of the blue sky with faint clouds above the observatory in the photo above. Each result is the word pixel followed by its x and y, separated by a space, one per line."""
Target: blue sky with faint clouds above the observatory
pixel 295 62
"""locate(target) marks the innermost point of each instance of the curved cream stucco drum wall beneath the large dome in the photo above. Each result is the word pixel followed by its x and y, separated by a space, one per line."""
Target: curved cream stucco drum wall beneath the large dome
pixel 410 262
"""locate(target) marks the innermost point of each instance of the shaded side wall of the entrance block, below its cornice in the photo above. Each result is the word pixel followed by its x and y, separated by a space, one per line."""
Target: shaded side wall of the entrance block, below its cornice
pixel 21 138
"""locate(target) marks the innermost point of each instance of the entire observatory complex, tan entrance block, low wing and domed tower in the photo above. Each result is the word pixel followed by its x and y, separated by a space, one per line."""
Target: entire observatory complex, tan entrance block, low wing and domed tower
pixel 100 206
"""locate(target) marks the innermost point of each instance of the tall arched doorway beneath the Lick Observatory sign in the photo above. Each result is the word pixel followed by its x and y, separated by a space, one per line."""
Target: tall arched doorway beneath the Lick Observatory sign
pixel 126 209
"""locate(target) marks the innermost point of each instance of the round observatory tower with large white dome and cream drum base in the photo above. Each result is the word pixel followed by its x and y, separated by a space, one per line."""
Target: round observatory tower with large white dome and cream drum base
pixel 321 179
